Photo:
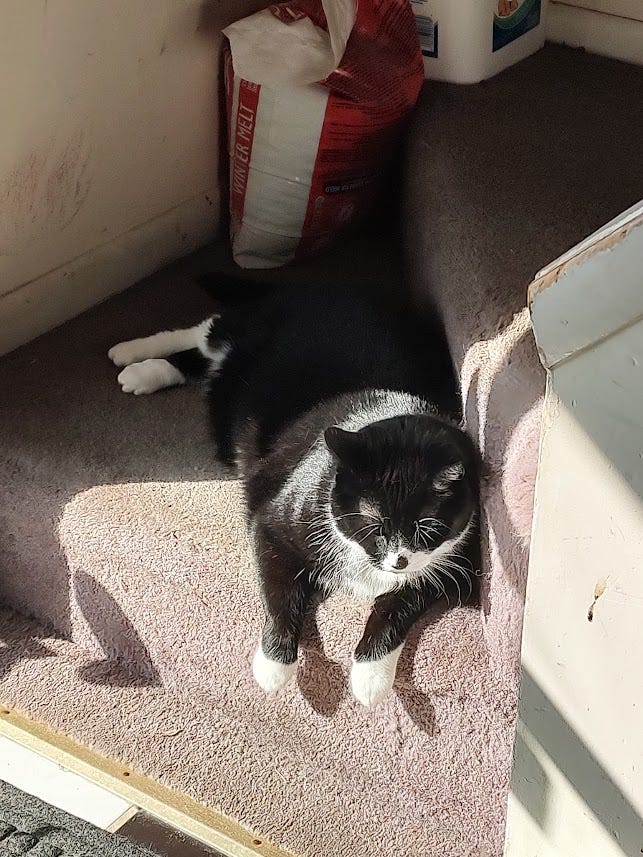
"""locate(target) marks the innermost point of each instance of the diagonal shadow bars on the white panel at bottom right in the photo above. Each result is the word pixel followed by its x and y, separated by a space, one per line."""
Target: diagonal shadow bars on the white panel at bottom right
pixel 541 722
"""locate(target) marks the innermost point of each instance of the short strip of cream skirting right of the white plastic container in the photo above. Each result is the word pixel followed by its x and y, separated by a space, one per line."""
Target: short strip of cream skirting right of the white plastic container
pixel 610 27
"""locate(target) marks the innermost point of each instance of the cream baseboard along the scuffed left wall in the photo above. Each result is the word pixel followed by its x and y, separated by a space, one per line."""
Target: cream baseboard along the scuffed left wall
pixel 42 304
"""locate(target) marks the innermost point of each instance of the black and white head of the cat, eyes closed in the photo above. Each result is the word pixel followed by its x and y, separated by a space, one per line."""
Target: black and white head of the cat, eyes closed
pixel 406 489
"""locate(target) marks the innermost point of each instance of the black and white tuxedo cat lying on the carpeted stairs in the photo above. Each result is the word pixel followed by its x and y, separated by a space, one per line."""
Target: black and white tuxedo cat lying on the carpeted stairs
pixel 339 410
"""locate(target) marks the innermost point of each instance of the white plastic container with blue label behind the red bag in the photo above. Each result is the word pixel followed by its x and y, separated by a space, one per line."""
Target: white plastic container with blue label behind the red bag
pixel 466 41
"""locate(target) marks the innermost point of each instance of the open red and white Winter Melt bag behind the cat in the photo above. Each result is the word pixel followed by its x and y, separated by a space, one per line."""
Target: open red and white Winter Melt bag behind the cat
pixel 316 94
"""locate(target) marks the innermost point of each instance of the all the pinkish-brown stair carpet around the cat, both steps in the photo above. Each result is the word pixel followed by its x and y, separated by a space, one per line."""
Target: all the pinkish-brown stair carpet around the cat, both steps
pixel 120 532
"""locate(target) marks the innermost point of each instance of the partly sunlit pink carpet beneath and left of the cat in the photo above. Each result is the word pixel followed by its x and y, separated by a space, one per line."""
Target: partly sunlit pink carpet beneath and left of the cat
pixel 128 539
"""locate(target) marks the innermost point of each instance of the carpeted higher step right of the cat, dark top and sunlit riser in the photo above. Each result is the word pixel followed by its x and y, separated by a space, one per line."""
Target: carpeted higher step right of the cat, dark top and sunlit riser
pixel 501 178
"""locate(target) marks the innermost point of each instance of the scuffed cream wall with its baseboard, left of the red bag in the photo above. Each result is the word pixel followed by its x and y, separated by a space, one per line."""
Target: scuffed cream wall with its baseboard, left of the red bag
pixel 109 118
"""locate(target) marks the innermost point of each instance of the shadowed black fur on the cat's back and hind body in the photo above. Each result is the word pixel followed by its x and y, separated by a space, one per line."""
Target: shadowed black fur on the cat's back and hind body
pixel 299 347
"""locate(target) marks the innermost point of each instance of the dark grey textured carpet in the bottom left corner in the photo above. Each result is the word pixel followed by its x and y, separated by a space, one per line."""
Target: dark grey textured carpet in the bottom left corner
pixel 32 828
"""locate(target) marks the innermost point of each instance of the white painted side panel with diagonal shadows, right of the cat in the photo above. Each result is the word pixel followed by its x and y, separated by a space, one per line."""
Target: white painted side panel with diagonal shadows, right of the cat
pixel 577 784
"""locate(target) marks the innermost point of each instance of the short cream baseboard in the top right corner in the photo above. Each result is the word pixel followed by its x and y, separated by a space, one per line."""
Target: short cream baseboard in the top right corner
pixel 597 32
